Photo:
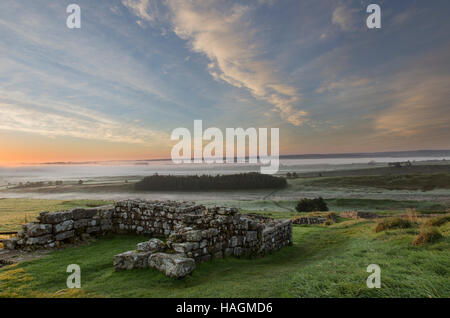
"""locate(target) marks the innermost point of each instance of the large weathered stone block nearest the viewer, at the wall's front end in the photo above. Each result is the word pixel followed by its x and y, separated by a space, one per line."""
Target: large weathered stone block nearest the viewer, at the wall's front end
pixel 172 265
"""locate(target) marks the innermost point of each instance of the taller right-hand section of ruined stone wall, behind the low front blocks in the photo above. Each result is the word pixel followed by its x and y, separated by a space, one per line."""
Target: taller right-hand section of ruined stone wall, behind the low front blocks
pixel 202 233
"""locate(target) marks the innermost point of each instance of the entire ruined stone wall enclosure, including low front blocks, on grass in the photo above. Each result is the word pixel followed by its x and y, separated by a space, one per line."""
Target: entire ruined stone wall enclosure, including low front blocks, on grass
pixel 183 233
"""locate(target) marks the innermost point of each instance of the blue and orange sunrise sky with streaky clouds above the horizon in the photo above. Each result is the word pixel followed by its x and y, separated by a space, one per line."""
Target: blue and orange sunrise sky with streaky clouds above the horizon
pixel 137 69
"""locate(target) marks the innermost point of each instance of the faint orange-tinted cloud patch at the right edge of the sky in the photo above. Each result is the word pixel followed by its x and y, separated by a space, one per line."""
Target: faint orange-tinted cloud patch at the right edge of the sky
pixel 421 100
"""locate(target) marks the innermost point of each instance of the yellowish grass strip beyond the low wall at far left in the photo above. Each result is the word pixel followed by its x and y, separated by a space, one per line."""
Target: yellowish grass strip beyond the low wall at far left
pixel 14 212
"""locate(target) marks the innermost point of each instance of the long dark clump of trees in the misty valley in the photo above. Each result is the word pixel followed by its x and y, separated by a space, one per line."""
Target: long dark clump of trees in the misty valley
pixel 241 181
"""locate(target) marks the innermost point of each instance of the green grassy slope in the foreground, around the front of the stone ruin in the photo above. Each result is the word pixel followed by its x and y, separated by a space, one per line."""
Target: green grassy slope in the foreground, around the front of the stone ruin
pixel 323 262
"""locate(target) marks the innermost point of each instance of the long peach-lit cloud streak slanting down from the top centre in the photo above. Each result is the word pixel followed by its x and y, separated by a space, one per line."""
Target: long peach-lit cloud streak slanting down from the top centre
pixel 225 36
